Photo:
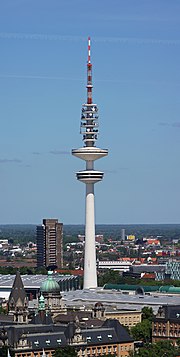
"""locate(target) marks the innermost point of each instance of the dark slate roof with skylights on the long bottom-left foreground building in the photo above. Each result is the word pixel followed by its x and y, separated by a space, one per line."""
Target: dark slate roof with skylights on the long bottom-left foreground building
pixel 53 336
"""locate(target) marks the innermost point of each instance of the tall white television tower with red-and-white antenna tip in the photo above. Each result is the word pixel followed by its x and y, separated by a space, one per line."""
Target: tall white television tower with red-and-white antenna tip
pixel 89 152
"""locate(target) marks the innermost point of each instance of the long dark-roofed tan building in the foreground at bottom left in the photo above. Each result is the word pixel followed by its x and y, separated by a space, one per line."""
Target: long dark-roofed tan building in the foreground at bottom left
pixel 34 339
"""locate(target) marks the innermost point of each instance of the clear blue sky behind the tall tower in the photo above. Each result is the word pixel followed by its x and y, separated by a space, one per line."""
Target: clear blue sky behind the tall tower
pixel 136 76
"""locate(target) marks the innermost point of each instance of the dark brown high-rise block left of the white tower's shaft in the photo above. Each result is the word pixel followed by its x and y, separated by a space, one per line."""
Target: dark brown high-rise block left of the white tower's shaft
pixel 50 244
